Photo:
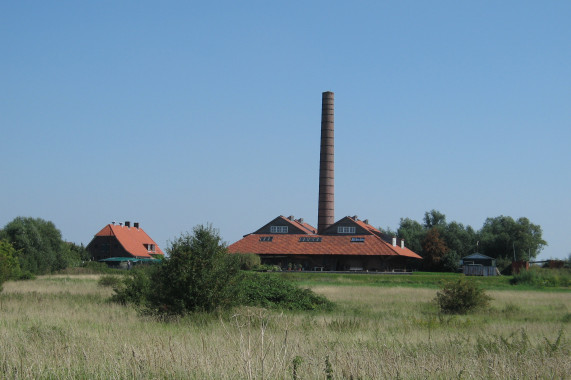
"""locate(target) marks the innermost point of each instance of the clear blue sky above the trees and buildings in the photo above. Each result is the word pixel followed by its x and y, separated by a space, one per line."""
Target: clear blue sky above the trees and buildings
pixel 178 113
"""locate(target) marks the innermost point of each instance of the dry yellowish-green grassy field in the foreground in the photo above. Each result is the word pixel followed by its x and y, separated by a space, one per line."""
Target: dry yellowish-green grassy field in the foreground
pixel 58 327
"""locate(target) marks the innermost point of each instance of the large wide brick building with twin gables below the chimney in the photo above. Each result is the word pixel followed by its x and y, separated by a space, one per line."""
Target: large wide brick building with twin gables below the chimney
pixel 350 244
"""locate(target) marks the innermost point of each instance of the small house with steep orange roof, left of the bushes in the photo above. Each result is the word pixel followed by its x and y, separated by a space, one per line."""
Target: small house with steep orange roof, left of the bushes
pixel 123 241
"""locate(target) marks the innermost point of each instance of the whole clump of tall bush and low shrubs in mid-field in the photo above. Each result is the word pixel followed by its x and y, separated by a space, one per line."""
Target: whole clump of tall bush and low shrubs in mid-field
pixel 200 276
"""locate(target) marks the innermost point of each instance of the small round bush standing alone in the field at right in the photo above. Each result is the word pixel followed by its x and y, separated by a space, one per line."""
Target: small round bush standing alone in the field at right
pixel 460 297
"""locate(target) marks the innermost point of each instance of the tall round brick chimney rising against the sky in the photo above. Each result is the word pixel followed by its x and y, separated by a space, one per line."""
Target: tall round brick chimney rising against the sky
pixel 326 208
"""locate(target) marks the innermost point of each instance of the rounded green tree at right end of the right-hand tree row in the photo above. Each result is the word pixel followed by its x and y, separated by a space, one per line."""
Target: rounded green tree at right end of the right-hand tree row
pixel 503 237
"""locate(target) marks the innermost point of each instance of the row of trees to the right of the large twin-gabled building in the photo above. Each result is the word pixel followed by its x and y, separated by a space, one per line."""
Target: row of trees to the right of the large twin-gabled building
pixel 443 244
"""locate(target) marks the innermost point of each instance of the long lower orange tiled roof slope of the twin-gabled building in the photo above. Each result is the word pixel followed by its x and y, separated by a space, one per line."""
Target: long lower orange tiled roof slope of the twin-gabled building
pixel 290 244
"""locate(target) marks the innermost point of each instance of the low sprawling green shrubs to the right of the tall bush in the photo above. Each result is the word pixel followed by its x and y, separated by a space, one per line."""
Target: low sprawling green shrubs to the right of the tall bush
pixel 273 292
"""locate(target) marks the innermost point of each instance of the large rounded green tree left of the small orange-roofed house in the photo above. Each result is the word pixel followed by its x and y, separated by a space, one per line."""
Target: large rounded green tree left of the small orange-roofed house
pixel 39 244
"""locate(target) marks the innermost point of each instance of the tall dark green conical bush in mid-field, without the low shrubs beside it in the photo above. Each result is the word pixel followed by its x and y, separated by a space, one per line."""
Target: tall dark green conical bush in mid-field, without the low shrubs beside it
pixel 199 275
